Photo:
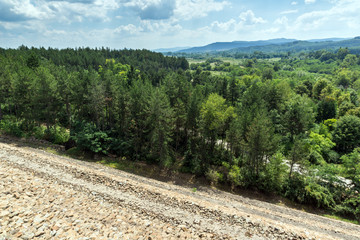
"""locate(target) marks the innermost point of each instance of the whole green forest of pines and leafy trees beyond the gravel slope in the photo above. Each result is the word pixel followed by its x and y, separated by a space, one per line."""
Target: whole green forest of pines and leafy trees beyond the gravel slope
pixel 287 124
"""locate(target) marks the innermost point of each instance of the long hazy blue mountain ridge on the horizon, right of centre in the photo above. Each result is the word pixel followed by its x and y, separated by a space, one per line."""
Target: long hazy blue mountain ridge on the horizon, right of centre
pixel 224 46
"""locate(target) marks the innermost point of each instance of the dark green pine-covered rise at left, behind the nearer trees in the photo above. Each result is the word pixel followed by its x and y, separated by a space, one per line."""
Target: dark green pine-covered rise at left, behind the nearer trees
pixel 86 58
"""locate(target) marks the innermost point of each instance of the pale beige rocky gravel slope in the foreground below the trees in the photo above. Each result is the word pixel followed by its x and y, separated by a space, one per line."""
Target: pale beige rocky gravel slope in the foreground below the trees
pixel 46 196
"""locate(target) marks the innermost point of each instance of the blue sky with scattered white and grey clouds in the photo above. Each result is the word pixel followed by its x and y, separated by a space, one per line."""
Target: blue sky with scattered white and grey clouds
pixel 153 24
